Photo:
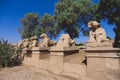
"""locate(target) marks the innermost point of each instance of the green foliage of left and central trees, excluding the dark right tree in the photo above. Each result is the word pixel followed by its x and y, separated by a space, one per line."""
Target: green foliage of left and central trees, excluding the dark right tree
pixel 70 16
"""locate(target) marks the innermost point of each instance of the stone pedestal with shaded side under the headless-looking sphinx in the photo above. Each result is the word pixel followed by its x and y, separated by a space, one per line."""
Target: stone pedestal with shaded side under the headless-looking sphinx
pixel 57 58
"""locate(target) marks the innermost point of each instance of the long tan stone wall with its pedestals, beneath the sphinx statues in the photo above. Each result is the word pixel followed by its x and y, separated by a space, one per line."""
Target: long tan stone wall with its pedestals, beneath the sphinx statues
pixel 102 63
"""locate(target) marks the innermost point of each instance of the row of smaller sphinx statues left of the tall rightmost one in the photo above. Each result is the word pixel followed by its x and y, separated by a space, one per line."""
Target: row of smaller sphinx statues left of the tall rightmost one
pixel 64 41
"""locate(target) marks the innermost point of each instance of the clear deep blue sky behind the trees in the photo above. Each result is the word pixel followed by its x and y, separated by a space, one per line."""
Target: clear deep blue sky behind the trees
pixel 11 11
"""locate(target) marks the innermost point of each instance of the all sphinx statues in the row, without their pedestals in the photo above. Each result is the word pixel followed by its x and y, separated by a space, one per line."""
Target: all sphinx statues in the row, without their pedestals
pixel 97 37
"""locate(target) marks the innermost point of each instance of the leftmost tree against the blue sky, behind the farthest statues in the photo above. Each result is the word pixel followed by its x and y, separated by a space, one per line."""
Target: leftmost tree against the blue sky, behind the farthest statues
pixel 30 25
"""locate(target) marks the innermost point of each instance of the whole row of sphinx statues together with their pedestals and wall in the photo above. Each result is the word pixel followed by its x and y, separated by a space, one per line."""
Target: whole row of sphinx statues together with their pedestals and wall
pixel 100 60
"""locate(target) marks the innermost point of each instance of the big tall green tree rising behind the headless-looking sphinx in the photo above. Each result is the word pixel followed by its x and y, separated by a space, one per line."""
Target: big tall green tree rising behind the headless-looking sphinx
pixel 71 14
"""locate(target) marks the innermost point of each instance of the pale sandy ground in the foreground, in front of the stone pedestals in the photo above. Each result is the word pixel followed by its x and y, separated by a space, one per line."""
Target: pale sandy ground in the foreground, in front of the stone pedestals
pixel 29 73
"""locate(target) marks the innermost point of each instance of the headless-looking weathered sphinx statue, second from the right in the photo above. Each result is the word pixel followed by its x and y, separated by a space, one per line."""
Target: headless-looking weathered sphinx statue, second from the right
pixel 66 41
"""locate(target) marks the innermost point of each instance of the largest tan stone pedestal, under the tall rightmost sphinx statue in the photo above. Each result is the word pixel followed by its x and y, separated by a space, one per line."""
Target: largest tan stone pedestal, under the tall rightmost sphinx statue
pixel 103 63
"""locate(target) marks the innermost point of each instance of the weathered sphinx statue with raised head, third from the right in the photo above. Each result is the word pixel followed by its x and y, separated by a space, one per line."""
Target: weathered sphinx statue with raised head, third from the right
pixel 46 42
